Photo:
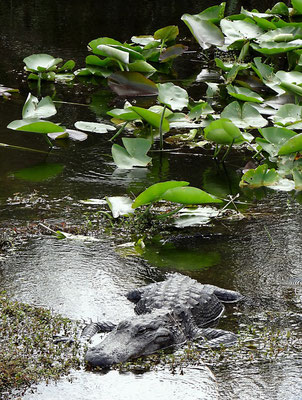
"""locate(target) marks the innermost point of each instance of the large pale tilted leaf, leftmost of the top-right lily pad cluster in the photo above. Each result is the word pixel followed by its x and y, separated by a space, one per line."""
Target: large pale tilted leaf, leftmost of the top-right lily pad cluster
pixel 205 32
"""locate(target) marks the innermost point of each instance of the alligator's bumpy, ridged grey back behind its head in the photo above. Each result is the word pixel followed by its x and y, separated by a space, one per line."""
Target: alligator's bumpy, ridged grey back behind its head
pixel 180 292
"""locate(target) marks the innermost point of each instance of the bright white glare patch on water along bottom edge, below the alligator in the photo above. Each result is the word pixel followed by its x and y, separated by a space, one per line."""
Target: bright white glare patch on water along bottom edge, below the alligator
pixel 196 384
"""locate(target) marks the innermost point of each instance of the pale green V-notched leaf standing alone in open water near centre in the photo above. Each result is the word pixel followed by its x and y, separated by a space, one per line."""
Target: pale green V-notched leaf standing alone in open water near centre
pixel 134 153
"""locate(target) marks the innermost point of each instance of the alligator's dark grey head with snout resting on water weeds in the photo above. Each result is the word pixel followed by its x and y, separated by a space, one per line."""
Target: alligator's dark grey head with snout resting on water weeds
pixel 136 337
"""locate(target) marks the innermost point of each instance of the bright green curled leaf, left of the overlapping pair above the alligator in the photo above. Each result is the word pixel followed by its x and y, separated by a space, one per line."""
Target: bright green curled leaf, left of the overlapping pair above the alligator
pixel 153 193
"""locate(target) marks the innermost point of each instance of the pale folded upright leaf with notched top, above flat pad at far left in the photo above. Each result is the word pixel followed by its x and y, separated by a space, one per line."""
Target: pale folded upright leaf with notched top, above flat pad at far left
pixel 34 109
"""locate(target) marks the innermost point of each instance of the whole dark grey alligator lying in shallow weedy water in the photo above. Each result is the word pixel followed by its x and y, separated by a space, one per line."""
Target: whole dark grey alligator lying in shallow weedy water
pixel 171 312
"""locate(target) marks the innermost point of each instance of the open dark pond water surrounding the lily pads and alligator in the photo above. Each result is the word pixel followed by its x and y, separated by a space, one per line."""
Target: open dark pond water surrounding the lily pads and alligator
pixel 260 256
